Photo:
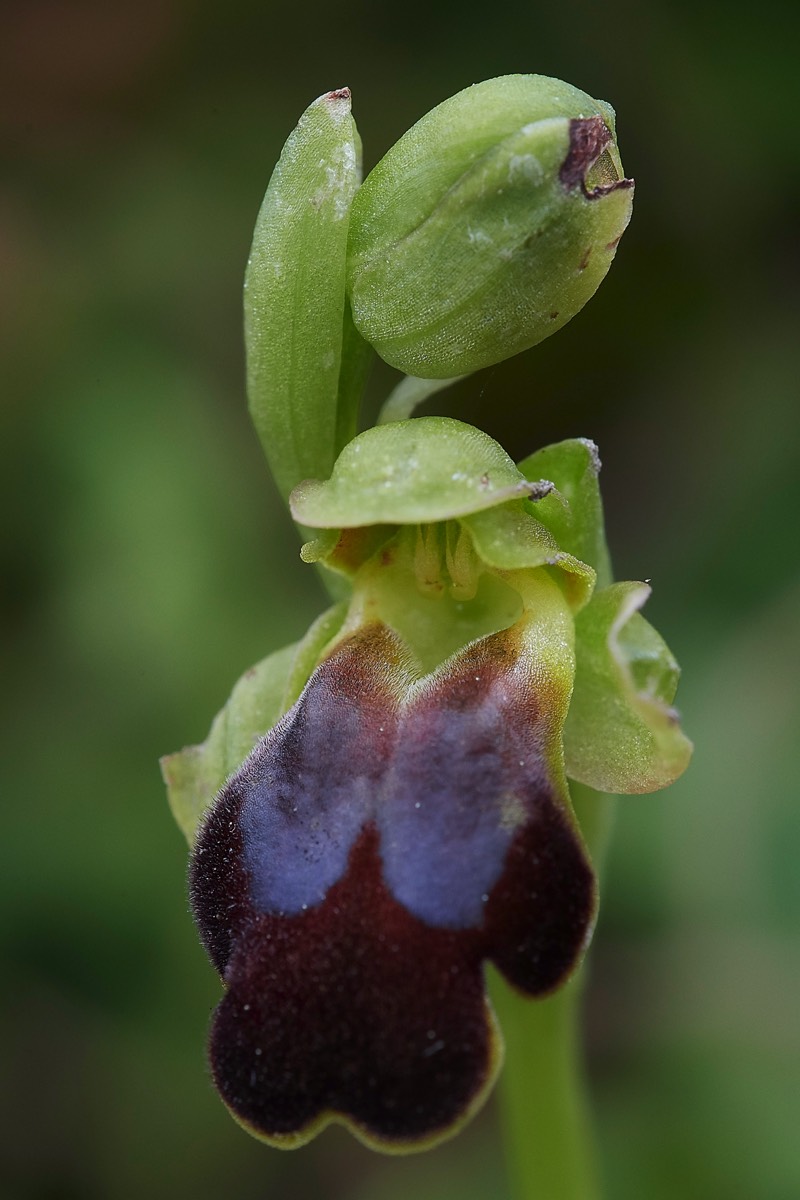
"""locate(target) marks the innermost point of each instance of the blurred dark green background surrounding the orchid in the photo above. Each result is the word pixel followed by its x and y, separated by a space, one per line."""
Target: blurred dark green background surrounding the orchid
pixel 148 563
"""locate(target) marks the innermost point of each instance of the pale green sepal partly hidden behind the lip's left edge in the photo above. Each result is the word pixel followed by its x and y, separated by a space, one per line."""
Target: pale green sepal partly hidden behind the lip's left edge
pixel 195 776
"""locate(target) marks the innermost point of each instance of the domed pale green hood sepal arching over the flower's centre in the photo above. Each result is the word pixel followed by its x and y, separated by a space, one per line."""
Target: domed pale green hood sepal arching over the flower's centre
pixel 428 470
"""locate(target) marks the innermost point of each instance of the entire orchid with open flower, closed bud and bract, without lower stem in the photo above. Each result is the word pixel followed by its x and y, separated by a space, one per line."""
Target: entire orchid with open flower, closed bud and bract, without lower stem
pixel 386 808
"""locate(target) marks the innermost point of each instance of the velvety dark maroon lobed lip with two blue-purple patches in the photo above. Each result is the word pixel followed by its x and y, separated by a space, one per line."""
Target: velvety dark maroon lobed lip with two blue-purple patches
pixel 387 838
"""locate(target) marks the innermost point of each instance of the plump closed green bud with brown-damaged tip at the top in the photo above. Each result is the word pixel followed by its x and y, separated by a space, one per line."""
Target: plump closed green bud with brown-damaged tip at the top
pixel 488 226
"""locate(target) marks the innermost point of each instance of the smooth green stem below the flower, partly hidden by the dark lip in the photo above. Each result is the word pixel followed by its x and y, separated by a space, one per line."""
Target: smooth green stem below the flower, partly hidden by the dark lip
pixel 544 1107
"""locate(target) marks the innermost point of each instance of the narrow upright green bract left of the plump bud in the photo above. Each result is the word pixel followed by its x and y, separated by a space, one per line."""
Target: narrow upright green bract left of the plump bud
pixel 305 359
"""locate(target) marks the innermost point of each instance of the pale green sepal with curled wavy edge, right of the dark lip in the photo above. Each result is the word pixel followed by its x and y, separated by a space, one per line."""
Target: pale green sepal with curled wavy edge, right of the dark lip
pixel 622 734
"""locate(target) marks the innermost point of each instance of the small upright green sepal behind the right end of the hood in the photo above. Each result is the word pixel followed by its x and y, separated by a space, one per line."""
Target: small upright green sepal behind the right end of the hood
pixel 574 513
